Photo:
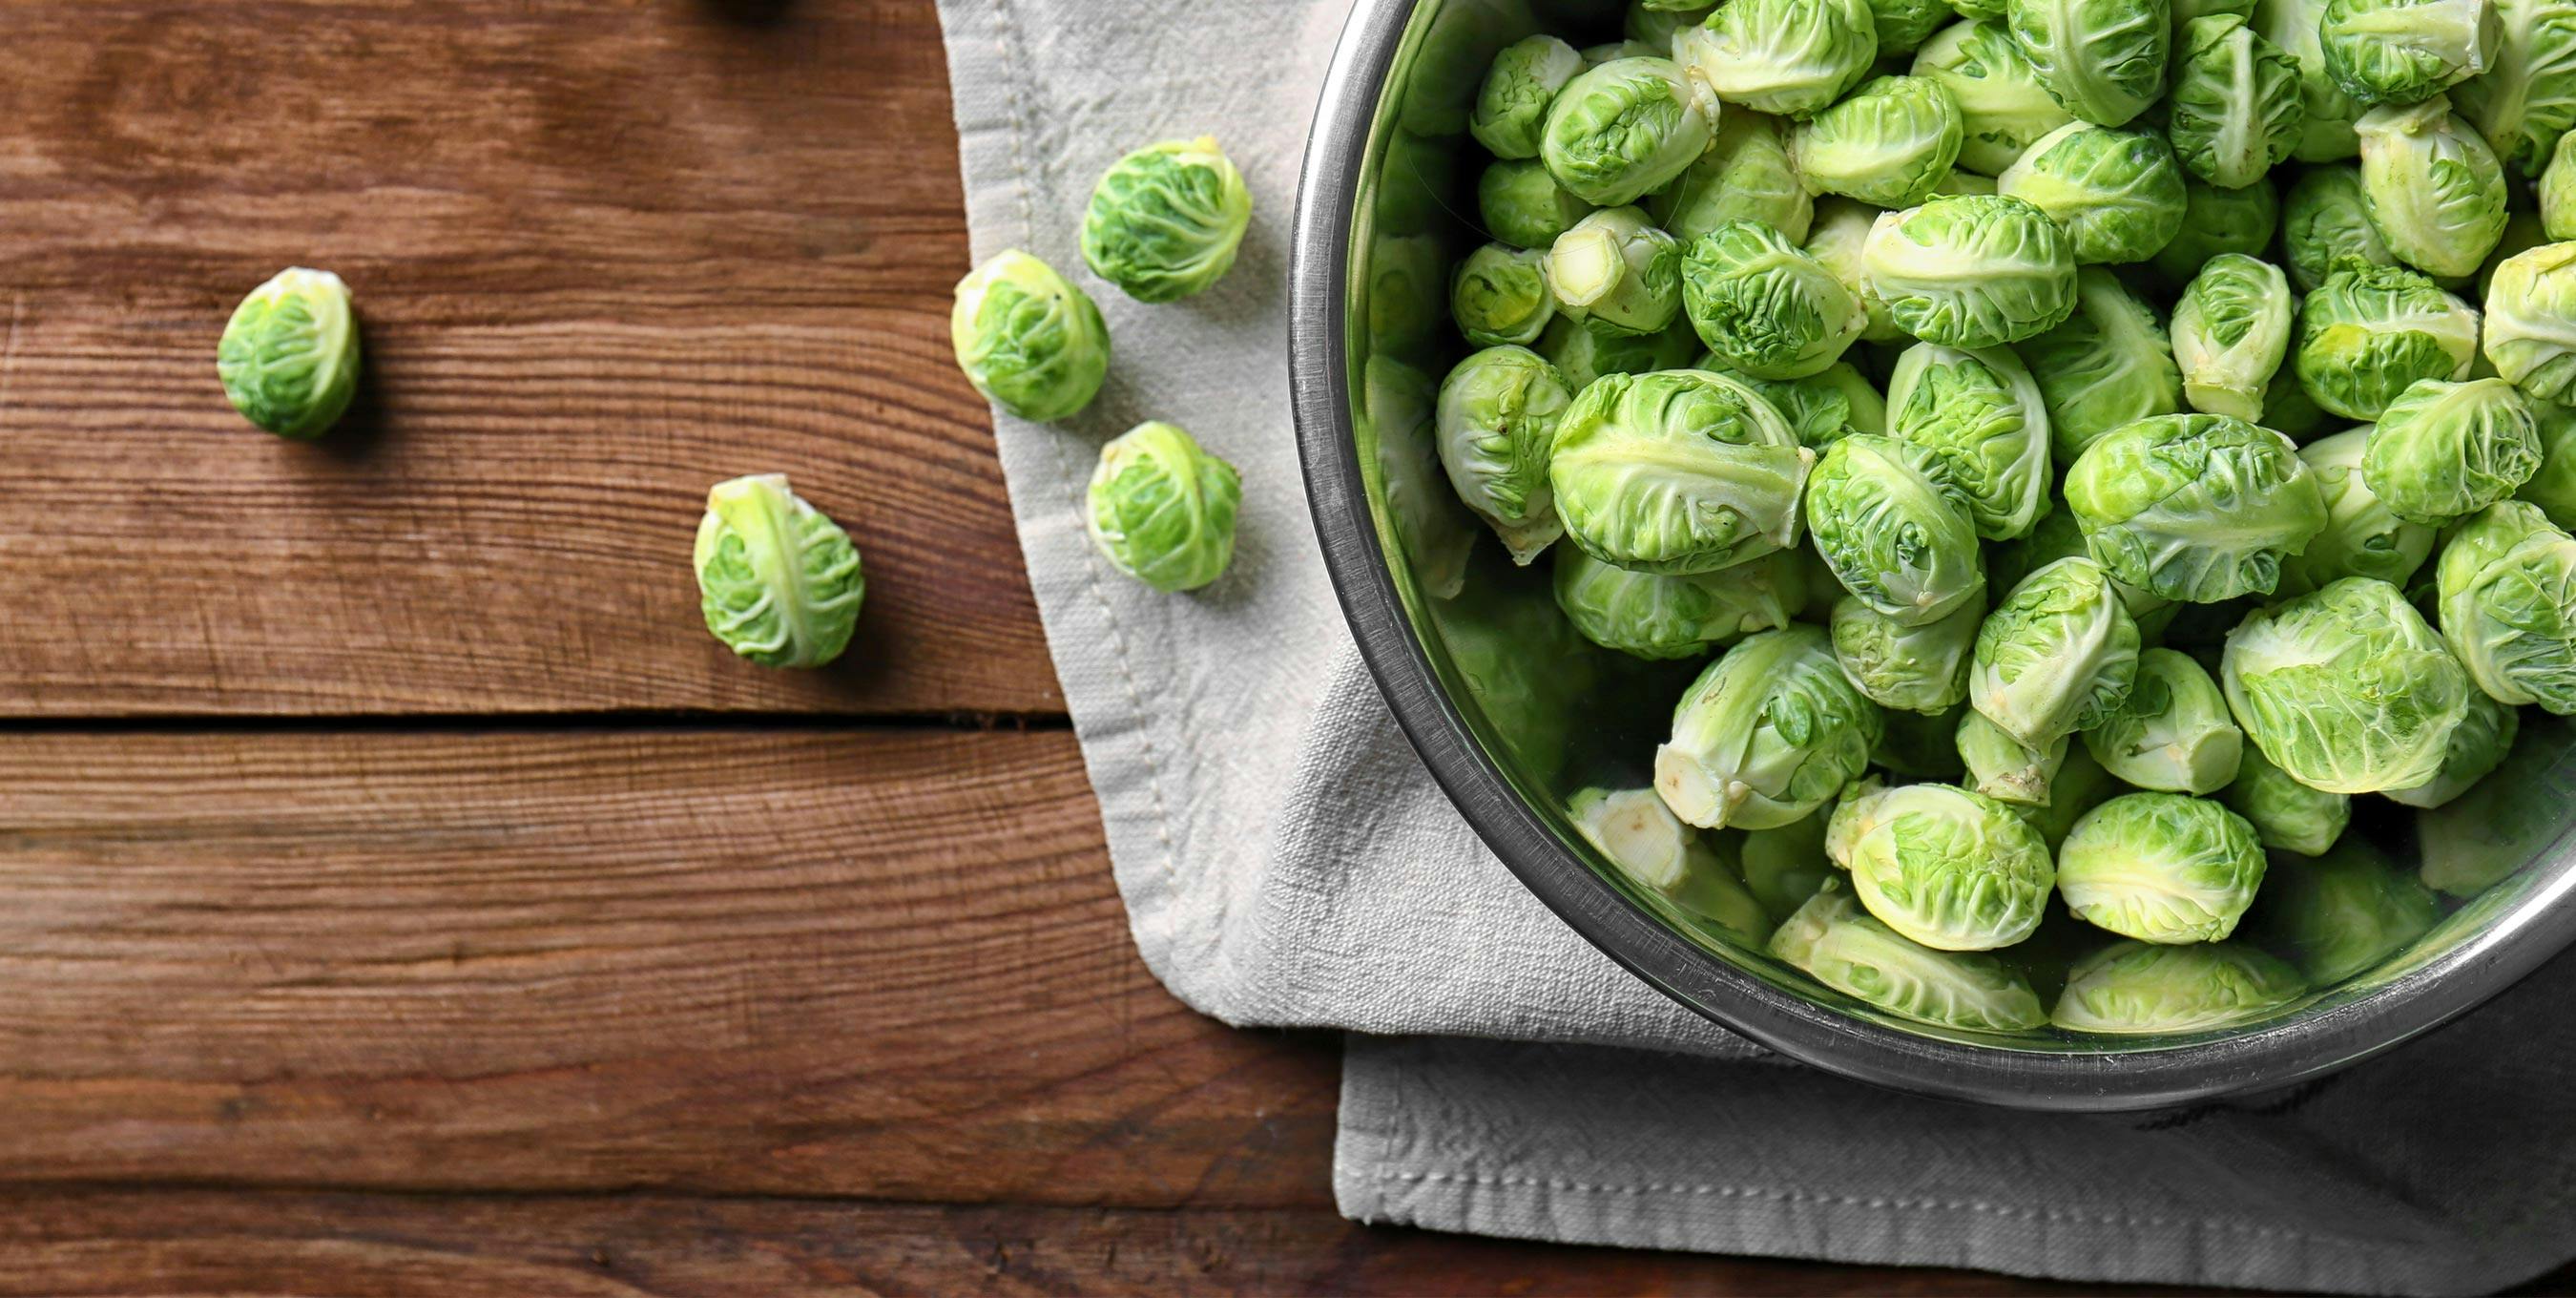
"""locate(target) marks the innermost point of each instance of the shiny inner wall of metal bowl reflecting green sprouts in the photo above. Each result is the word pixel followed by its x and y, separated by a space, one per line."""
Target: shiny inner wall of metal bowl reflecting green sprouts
pixel 1544 715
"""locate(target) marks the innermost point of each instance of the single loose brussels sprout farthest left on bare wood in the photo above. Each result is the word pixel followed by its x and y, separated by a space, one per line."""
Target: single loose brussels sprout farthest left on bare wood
pixel 290 354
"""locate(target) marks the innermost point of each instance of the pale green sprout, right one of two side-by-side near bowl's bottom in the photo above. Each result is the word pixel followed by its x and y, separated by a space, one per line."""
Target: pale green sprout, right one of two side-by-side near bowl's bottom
pixel 2163 869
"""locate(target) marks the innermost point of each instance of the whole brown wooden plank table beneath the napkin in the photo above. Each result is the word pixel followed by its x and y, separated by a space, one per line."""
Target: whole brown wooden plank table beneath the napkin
pixel 398 890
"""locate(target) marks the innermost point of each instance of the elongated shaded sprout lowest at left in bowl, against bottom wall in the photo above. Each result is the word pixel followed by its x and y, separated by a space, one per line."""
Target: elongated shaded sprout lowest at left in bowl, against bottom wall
pixel 1851 952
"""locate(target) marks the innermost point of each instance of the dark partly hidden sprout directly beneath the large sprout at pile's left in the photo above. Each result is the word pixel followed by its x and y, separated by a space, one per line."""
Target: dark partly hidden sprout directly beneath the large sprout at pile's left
pixel 1678 617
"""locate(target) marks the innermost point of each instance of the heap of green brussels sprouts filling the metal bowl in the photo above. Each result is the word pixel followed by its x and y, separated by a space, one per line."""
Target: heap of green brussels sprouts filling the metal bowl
pixel 2096 442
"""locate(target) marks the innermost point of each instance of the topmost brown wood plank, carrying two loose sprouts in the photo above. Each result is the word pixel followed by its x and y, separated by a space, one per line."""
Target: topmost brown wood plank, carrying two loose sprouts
pixel 607 254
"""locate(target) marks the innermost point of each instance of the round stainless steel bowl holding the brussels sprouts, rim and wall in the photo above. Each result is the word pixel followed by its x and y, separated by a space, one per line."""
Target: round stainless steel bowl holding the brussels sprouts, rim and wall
pixel 1513 712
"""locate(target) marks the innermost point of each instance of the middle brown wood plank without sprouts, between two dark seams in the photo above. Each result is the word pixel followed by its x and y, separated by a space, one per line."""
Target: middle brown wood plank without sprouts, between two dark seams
pixel 808 962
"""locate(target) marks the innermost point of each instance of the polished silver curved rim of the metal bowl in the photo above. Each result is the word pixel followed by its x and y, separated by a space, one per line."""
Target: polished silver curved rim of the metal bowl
pixel 1807 1031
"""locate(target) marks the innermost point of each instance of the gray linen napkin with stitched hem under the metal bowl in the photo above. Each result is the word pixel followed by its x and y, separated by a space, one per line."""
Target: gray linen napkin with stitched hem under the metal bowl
pixel 1287 861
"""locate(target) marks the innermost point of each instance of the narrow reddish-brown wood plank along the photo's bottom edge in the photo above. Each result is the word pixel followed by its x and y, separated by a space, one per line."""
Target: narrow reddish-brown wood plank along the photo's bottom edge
pixel 91 1243
